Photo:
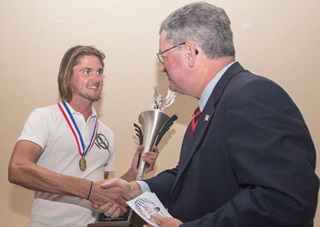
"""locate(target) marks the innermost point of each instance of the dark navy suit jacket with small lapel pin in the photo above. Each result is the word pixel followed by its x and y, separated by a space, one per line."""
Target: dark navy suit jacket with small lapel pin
pixel 250 162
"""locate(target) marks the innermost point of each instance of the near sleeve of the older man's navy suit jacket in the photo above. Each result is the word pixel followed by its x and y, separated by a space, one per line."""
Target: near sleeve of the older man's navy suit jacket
pixel 273 160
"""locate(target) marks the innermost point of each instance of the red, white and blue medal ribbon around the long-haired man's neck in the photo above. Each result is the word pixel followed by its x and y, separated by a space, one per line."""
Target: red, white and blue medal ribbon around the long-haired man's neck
pixel 75 130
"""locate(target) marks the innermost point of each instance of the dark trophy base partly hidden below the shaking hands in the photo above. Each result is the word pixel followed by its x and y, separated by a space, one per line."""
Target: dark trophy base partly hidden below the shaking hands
pixel 130 219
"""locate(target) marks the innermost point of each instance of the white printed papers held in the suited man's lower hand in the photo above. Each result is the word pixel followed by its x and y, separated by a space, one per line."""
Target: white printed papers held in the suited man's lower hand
pixel 146 205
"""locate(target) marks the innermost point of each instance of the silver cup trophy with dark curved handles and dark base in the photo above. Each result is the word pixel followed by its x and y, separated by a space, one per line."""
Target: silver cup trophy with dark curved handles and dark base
pixel 154 124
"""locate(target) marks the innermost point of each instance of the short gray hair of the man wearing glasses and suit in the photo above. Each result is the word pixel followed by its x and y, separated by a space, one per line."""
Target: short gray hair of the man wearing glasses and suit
pixel 203 23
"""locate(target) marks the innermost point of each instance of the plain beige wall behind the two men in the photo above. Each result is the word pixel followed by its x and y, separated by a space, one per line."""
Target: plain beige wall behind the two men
pixel 278 39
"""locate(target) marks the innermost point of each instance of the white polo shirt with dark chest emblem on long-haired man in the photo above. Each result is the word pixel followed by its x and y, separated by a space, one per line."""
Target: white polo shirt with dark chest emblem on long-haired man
pixel 47 127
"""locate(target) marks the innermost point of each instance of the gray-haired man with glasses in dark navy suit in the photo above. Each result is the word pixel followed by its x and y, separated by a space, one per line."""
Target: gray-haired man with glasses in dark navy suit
pixel 250 160
